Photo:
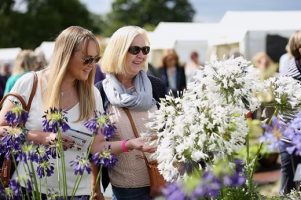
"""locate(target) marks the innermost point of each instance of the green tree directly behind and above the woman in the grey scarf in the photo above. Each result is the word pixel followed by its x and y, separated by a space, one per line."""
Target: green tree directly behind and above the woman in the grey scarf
pixel 146 13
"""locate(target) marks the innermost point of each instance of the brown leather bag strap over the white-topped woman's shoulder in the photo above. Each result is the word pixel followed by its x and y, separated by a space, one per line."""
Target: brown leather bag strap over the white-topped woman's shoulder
pixel 20 98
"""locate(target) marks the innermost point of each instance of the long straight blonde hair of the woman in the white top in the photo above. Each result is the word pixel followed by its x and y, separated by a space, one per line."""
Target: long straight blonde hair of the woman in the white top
pixel 69 41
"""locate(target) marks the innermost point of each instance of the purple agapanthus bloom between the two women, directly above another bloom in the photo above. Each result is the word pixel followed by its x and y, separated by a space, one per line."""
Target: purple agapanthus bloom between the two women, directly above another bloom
pixel 101 121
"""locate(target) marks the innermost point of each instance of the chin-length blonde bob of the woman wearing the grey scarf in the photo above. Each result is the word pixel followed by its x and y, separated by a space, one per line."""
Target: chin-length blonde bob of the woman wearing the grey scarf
pixel 114 57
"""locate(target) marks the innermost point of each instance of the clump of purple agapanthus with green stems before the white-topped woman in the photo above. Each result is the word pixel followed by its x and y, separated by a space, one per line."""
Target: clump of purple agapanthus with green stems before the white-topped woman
pixel 46 157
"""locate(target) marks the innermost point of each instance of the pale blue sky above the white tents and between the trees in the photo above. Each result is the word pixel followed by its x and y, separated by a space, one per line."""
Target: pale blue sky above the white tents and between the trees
pixel 213 10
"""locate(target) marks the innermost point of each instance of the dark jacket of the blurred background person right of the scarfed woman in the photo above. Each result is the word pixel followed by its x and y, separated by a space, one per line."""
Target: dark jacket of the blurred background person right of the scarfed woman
pixel 180 79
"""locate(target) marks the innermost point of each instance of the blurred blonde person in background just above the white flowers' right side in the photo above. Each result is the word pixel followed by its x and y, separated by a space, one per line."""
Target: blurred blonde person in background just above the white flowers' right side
pixel 265 64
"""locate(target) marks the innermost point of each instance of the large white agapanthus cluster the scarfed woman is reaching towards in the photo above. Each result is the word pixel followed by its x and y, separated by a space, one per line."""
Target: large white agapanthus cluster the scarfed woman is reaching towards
pixel 208 122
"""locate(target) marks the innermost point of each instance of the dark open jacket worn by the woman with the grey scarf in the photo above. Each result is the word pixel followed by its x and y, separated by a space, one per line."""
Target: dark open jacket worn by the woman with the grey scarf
pixel 159 91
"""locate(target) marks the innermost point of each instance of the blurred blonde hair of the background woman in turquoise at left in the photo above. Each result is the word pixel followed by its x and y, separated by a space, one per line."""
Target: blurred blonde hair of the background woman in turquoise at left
pixel 26 61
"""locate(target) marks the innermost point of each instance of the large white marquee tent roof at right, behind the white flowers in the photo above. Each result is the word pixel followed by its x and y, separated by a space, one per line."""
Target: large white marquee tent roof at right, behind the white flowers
pixel 250 28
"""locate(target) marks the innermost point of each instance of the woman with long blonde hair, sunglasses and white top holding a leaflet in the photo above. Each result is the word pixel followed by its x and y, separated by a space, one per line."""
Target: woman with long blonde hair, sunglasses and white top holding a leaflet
pixel 67 84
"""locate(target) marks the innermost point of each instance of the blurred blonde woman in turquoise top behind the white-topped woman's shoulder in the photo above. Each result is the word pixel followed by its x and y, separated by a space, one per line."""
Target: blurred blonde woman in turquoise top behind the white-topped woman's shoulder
pixel 26 61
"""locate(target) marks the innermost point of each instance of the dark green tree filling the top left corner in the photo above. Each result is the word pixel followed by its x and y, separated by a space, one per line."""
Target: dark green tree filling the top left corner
pixel 43 20
